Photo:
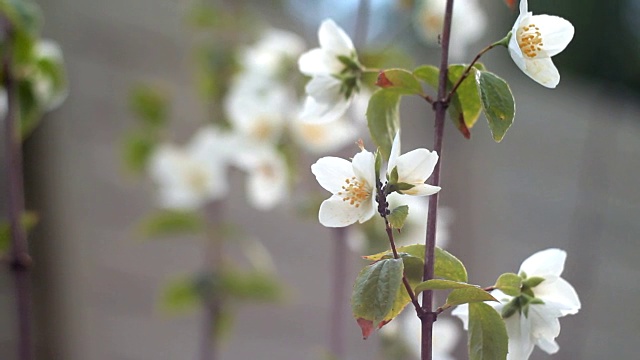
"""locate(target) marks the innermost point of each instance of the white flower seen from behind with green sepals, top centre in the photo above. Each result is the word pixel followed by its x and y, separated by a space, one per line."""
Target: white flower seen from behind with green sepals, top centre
pixel 329 92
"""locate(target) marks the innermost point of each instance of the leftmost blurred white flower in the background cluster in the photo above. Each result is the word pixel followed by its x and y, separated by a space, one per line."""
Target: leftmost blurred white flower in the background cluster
pixel 189 177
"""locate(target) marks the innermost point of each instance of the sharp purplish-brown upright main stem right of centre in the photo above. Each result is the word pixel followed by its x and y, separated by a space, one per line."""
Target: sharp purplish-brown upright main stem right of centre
pixel 440 107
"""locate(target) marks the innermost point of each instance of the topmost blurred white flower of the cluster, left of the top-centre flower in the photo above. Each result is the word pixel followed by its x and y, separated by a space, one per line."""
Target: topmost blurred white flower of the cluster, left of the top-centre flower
pixel 272 54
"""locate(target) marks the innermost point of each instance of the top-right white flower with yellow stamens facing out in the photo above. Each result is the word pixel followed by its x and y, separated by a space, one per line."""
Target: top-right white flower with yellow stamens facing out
pixel 534 40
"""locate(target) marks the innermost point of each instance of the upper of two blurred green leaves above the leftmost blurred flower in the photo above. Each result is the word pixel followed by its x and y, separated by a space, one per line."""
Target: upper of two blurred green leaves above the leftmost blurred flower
pixel 150 104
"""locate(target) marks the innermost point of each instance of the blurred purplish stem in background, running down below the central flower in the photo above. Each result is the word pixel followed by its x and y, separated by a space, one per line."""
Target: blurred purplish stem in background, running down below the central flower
pixel 336 337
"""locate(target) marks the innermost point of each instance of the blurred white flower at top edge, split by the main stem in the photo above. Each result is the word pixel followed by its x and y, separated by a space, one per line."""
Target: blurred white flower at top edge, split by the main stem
pixel 468 24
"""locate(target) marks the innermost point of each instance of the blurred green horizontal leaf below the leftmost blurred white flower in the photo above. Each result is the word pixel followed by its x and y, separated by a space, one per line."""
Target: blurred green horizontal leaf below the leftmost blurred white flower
pixel 171 222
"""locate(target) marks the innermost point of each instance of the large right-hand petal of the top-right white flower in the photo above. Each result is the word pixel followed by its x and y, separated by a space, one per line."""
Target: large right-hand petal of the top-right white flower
pixel 556 33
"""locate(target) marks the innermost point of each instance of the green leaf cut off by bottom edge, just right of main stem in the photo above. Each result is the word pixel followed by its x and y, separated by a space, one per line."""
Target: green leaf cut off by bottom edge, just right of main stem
pixel 488 338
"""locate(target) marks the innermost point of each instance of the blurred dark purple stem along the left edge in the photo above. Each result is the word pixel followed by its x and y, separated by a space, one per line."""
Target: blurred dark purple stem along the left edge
pixel 20 260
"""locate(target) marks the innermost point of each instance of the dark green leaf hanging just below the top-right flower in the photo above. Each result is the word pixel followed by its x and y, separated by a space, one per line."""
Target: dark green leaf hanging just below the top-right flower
pixel 497 102
